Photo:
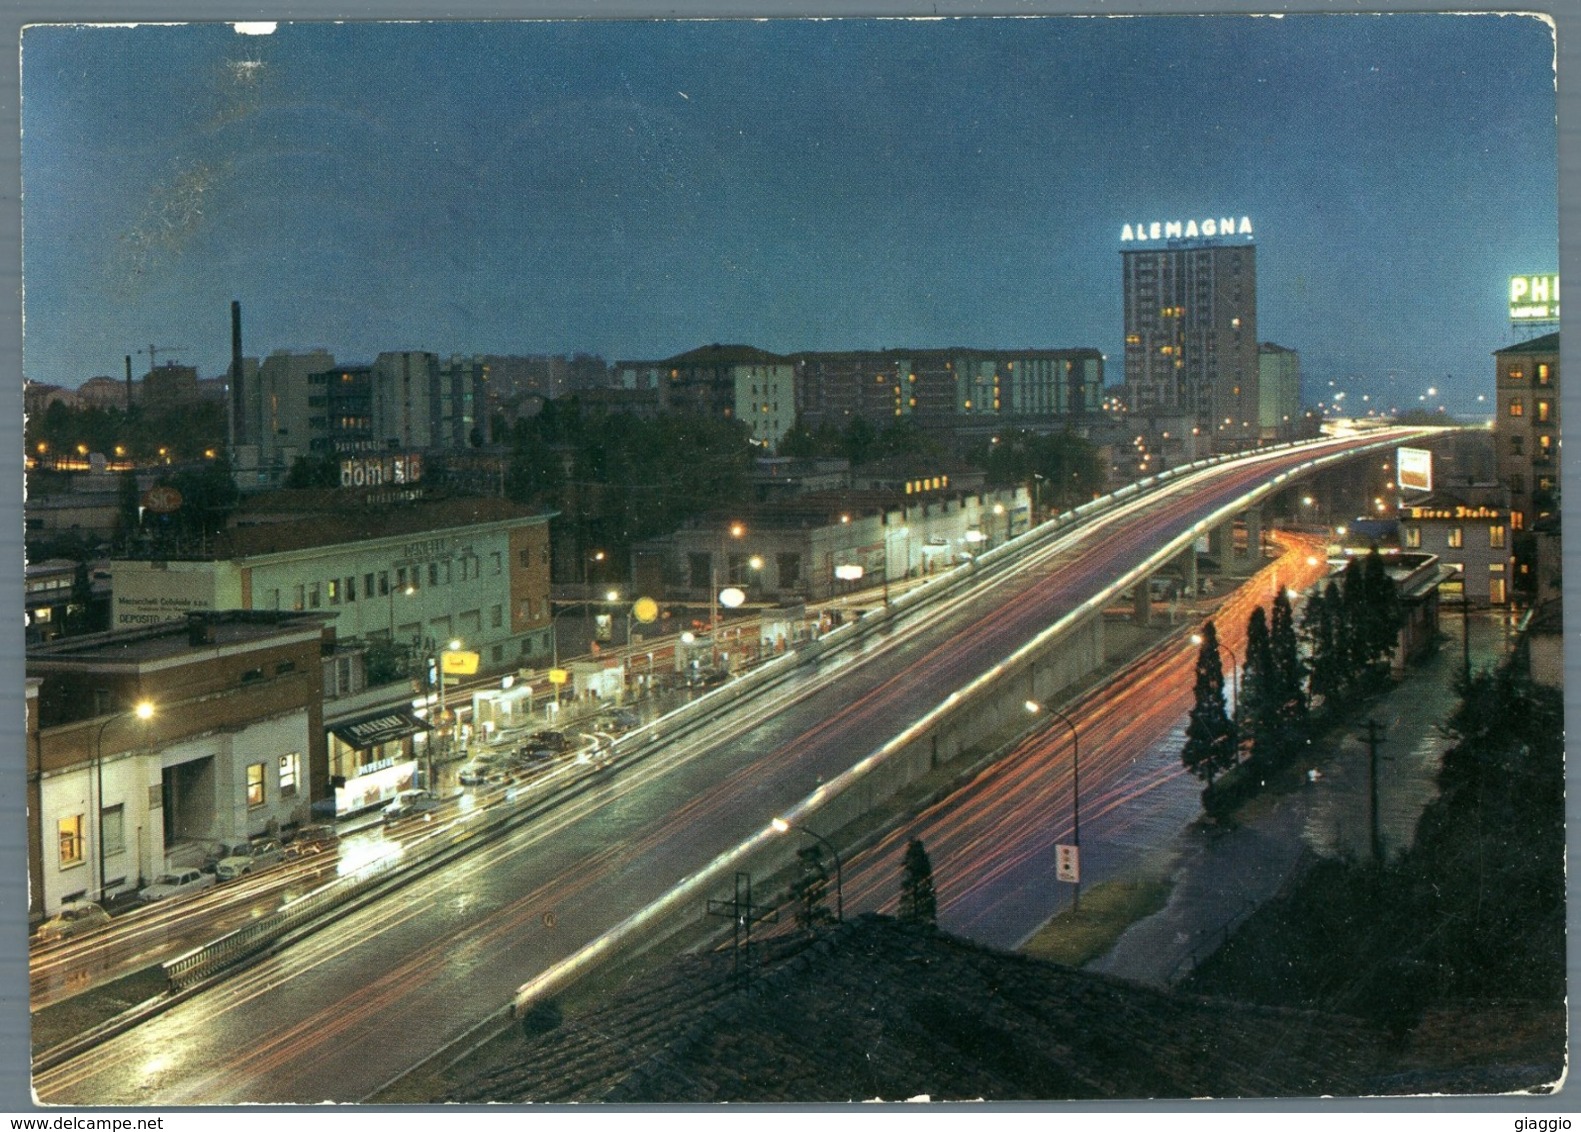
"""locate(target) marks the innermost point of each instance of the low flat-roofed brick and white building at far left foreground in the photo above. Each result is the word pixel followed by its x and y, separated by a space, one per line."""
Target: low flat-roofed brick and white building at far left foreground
pixel 148 744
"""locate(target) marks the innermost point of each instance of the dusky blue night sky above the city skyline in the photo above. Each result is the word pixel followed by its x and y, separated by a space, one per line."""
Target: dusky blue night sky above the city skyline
pixel 641 189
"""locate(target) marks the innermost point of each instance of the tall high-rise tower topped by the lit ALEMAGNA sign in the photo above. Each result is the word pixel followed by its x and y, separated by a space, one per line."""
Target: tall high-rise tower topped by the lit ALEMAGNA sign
pixel 1191 325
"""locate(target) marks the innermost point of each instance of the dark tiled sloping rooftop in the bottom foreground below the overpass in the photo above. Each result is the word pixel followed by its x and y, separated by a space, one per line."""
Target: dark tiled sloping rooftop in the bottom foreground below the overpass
pixel 880 1009
